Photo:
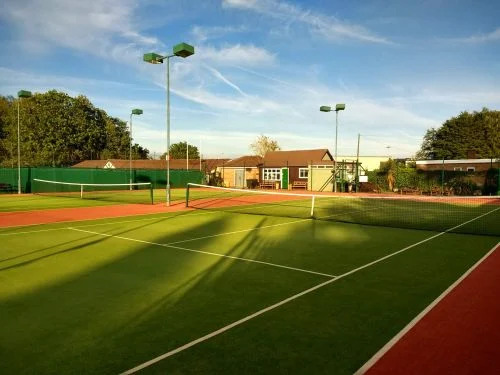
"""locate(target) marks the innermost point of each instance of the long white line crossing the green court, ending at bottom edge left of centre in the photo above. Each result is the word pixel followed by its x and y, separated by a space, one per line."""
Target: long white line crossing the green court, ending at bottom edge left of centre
pixel 295 296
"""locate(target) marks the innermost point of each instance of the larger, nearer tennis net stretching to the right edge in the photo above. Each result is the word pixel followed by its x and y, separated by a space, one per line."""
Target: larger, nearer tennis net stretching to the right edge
pixel 471 215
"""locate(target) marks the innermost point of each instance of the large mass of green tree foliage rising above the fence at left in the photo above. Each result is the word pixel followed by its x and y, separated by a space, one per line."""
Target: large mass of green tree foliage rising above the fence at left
pixel 59 130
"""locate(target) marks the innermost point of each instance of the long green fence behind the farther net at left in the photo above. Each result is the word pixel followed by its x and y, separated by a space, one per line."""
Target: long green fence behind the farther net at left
pixel 158 177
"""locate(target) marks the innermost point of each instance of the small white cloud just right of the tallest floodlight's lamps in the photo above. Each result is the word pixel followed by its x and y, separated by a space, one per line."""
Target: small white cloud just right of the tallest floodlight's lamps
pixel 243 55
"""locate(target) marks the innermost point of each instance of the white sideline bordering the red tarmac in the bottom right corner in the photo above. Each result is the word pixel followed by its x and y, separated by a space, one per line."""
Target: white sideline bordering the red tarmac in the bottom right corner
pixel 363 369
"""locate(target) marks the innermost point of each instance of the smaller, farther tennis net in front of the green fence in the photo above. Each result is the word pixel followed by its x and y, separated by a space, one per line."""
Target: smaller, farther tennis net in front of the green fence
pixel 141 192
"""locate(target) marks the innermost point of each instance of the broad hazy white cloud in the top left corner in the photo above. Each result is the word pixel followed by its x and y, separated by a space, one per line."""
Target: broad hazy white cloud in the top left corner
pixel 101 28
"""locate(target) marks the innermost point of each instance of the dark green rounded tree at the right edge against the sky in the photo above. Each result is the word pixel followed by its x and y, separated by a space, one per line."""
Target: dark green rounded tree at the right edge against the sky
pixel 477 132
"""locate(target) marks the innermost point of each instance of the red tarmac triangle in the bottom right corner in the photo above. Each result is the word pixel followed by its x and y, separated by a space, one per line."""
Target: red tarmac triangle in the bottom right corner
pixel 460 335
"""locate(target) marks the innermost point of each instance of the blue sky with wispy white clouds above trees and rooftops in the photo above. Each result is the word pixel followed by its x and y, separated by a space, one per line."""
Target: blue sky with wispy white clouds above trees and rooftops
pixel 262 67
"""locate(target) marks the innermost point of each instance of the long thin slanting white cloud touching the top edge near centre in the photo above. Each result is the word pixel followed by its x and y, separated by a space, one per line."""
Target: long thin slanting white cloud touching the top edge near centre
pixel 328 27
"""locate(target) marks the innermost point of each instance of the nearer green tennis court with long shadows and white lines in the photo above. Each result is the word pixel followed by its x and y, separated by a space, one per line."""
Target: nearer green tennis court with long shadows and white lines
pixel 235 284
